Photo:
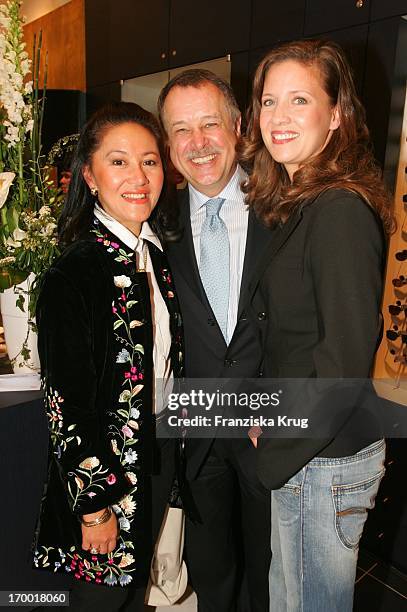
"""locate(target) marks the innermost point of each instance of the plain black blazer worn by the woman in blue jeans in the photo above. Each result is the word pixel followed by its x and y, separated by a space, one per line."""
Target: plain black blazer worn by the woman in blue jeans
pixel 320 283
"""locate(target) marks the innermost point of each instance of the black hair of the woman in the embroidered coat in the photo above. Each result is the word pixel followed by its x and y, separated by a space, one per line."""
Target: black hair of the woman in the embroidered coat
pixel 77 214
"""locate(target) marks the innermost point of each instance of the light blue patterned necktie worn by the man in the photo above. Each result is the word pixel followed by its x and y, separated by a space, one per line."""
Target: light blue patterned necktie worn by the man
pixel 214 262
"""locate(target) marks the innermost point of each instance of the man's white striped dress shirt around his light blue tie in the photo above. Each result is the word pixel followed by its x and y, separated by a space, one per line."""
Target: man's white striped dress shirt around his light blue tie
pixel 235 214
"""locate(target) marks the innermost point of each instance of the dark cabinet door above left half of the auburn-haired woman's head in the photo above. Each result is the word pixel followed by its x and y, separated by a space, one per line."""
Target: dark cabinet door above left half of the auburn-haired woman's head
pixel 276 21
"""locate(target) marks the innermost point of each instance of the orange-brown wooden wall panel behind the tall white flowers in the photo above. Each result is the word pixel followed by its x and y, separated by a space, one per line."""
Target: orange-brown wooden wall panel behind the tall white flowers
pixel 63 37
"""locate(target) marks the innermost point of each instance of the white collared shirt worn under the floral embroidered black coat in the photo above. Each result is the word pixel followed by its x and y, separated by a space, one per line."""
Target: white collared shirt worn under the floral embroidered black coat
pixel 163 376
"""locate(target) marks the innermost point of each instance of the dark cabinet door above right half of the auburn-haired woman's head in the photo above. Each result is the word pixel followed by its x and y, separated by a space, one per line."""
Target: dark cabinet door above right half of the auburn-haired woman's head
pixel 321 17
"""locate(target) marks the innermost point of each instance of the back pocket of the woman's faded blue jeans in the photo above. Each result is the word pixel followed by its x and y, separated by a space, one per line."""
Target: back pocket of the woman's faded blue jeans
pixel 351 504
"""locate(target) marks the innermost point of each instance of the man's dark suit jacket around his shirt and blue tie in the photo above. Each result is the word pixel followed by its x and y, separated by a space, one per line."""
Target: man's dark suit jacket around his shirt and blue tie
pixel 206 352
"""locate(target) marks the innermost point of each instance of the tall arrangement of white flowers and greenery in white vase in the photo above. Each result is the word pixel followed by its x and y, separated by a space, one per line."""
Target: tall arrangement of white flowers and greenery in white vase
pixel 29 201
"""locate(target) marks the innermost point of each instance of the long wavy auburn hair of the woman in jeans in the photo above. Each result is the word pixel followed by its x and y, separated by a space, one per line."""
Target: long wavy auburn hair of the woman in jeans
pixel 347 160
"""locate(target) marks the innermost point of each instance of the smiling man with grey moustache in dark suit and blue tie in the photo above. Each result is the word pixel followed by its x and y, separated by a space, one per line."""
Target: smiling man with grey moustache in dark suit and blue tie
pixel 212 263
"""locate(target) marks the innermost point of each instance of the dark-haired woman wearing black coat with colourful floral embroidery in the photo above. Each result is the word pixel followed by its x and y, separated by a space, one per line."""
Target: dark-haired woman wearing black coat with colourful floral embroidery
pixel 96 346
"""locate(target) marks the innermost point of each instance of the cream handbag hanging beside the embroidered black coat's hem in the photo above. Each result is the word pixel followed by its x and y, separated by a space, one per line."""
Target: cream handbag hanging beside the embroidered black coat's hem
pixel 168 573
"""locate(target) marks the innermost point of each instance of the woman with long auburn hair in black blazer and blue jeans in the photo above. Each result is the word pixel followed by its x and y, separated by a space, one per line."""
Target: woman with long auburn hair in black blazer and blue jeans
pixel 314 182
